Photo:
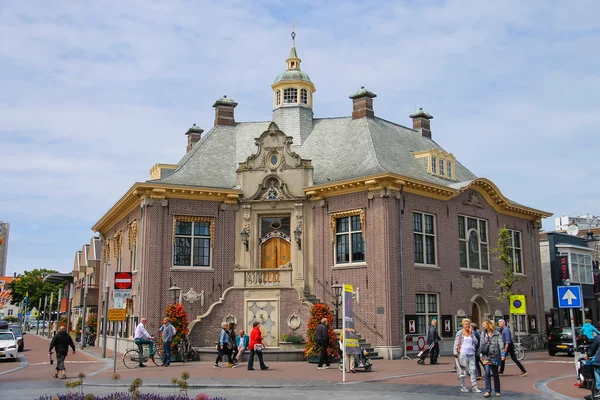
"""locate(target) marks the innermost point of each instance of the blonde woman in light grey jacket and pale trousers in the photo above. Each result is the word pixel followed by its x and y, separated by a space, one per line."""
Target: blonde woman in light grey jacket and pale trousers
pixel 465 343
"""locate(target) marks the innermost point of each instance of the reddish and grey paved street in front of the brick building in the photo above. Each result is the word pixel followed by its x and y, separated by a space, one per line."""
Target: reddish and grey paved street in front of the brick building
pixel 389 380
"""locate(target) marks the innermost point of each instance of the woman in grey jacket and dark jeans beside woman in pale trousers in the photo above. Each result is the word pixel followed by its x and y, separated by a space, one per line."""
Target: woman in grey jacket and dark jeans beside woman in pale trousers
pixel 492 353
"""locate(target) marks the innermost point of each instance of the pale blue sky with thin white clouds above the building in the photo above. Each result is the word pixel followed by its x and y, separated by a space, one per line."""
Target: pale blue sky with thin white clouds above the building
pixel 93 94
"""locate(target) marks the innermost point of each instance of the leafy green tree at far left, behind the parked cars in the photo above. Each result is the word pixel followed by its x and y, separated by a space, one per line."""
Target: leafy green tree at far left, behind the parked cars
pixel 33 282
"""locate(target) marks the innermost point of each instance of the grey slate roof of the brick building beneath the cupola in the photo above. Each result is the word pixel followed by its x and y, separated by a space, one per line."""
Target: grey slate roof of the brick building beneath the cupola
pixel 339 148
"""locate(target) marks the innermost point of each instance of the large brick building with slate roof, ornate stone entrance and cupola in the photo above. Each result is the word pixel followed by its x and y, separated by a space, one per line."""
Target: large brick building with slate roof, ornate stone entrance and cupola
pixel 258 219
